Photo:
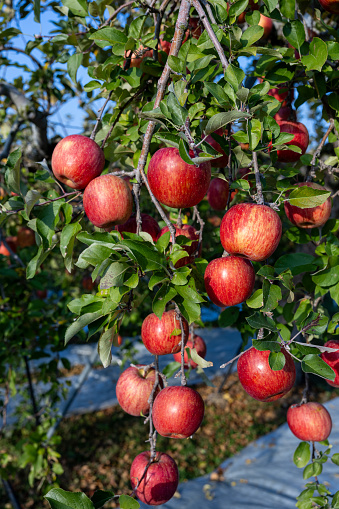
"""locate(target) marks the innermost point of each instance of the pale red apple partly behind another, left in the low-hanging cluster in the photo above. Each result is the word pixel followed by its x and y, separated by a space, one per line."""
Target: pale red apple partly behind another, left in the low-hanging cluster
pixel 133 389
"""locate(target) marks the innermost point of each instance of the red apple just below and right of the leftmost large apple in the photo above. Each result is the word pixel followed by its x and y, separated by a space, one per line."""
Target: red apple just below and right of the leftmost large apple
pixel 108 201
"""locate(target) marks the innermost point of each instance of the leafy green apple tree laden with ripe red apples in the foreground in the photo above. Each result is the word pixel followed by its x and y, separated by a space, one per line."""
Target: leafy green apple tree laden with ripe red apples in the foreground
pixel 197 98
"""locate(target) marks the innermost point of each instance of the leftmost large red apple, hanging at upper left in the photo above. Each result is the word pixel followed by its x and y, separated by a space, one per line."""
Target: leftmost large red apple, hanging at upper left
pixel 76 160
